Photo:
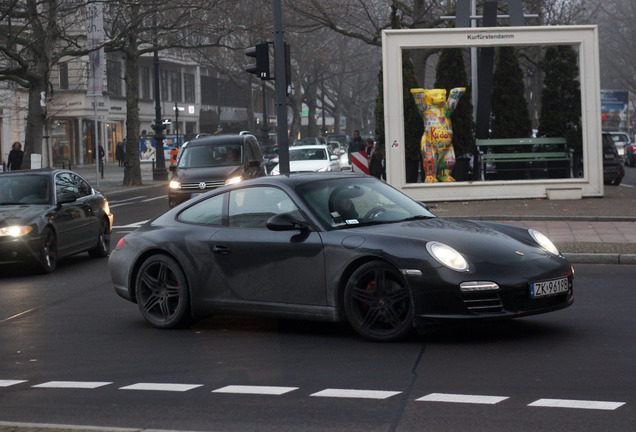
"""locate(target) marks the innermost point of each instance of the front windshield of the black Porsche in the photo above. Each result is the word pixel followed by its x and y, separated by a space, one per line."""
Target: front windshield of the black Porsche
pixel 359 201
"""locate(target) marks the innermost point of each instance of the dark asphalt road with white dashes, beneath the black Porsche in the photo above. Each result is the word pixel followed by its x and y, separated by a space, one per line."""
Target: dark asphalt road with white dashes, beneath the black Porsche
pixel 73 353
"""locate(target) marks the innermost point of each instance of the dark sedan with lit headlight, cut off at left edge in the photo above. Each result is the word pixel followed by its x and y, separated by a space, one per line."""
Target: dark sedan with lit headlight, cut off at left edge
pixel 50 213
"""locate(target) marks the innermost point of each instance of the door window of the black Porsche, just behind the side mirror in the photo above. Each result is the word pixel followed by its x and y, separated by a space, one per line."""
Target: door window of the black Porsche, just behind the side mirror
pixel 252 207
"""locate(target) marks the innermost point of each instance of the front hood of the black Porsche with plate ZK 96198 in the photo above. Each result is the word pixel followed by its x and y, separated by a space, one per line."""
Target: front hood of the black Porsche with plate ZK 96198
pixel 477 241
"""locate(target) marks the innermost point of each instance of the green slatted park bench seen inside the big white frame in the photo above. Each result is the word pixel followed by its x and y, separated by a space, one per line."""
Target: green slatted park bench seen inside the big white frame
pixel 541 150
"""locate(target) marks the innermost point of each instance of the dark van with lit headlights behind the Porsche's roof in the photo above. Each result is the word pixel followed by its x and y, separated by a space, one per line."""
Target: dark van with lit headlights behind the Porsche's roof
pixel 212 161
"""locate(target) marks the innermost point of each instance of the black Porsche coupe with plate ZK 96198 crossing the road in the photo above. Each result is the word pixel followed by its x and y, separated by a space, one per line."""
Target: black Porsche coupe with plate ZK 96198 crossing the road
pixel 334 247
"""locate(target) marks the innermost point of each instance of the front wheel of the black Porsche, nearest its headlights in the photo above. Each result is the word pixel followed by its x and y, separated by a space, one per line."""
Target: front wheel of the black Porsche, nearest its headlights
pixel 377 303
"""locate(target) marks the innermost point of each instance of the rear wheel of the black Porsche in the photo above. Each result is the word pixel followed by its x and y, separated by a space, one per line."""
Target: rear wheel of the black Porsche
pixel 162 295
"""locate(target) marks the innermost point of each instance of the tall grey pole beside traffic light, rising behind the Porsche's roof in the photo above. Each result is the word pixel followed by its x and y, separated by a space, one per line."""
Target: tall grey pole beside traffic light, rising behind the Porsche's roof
pixel 281 88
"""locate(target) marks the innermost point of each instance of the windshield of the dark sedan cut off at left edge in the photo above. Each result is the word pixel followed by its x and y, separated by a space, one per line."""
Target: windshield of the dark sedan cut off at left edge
pixel 24 189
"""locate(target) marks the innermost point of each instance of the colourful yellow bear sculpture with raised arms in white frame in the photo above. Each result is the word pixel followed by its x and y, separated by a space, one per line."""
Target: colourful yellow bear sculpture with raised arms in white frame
pixel 437 142
